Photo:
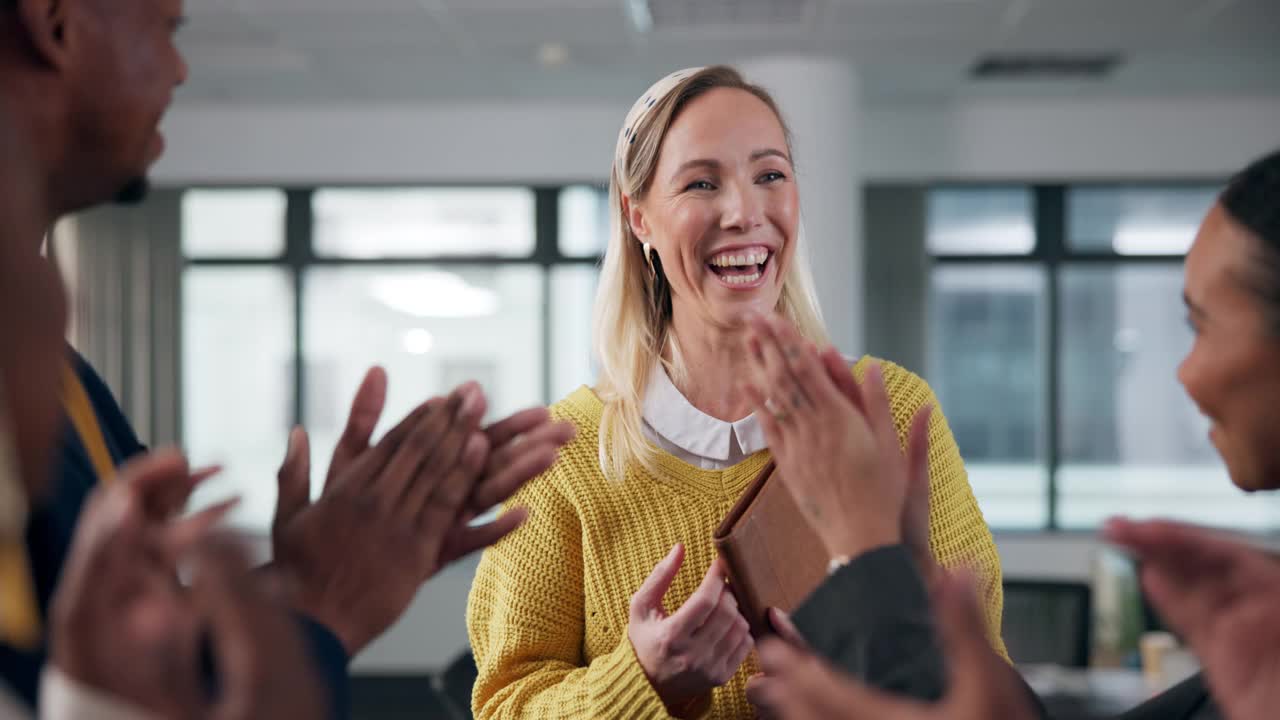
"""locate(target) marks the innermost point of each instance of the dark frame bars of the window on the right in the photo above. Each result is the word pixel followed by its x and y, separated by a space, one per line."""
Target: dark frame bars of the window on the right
pixel 1053 253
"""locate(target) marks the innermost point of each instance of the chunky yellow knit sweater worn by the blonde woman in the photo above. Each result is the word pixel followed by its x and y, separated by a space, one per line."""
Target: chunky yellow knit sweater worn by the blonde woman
pixel 550 607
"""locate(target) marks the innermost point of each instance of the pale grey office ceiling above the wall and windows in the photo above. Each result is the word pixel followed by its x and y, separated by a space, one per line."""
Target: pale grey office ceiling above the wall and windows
pixel 476 51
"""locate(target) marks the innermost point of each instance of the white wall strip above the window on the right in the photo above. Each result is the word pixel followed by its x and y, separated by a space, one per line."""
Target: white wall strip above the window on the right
pixel 1078 139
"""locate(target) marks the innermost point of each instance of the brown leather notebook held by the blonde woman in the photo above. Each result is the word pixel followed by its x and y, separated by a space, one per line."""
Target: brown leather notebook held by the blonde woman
pixel 775 558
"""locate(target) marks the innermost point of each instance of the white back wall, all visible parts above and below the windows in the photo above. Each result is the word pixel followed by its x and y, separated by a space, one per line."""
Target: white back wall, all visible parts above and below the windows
pixel 559 143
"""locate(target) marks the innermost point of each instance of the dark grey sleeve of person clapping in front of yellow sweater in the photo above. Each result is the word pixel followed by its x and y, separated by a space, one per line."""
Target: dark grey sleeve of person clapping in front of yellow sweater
pixel 872 619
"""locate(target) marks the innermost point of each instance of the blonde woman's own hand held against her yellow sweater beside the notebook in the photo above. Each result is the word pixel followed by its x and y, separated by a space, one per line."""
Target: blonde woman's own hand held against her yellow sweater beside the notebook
pixel 700 648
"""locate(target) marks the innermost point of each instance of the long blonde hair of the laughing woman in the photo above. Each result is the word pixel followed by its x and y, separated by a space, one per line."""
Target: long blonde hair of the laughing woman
pixel 633 307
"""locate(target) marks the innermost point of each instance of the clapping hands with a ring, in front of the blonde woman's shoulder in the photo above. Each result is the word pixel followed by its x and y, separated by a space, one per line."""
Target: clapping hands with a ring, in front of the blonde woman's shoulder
pixel 836 444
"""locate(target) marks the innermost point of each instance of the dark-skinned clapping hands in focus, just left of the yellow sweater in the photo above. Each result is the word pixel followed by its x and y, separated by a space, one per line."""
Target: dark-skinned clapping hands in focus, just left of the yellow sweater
pixel 394 514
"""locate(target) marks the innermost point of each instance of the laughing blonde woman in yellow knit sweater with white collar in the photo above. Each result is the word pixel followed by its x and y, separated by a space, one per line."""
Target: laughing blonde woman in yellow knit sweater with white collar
pixel 611 603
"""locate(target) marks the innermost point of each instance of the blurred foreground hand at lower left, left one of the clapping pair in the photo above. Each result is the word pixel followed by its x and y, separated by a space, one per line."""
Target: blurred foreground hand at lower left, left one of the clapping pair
pixel 120 596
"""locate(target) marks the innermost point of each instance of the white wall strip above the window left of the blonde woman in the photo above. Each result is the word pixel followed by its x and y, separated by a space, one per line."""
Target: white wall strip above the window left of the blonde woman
pixel 484 143
